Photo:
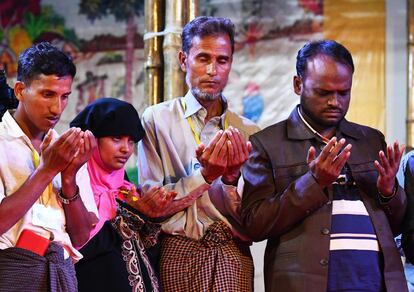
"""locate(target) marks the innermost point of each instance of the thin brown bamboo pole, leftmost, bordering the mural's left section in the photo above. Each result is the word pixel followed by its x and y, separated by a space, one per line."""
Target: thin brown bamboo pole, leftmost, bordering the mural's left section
pixel 154 22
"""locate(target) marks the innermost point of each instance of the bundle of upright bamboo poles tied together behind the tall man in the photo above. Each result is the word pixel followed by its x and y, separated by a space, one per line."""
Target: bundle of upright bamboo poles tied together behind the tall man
pixel 165 58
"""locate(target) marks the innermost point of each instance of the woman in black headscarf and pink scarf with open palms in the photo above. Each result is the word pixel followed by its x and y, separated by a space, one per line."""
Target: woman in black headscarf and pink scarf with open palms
pixel 116 258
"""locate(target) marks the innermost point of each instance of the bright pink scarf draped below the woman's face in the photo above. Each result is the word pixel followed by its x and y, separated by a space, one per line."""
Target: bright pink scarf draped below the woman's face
pixel 105 185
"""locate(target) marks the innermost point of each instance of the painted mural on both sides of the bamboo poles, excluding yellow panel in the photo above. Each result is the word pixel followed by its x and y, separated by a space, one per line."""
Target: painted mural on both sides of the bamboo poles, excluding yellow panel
pixel 105 40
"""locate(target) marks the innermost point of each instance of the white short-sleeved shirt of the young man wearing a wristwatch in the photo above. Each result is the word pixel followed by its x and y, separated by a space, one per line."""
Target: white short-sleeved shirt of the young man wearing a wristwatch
pixel 16 165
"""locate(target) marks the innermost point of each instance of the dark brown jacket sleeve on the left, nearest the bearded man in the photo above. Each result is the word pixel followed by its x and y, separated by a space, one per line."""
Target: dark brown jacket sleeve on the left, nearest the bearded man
pixel 268 213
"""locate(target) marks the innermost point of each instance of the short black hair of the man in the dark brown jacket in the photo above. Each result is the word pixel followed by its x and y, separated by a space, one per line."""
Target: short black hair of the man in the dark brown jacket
pixel 322 47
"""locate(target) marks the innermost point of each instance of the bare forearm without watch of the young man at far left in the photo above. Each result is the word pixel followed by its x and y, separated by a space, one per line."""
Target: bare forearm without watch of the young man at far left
pixel 16 205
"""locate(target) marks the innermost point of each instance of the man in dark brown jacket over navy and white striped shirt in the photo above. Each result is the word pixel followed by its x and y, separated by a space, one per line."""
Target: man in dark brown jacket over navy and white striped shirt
pixel 323 190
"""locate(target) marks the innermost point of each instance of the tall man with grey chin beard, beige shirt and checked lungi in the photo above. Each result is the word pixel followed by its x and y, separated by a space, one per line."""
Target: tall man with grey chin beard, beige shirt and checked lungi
pixel 196 146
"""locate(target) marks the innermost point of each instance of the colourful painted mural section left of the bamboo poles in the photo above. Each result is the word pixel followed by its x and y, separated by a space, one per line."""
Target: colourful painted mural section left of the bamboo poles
pixel 103 37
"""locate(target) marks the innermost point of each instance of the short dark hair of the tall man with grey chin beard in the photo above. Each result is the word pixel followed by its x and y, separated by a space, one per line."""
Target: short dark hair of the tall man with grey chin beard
pixel 203 26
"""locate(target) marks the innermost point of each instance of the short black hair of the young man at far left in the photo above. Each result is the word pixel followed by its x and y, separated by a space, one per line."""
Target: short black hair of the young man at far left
pixel 43 58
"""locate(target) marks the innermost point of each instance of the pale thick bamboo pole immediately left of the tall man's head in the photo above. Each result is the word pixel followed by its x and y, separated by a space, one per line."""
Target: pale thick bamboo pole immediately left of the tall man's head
pixel 173 76
